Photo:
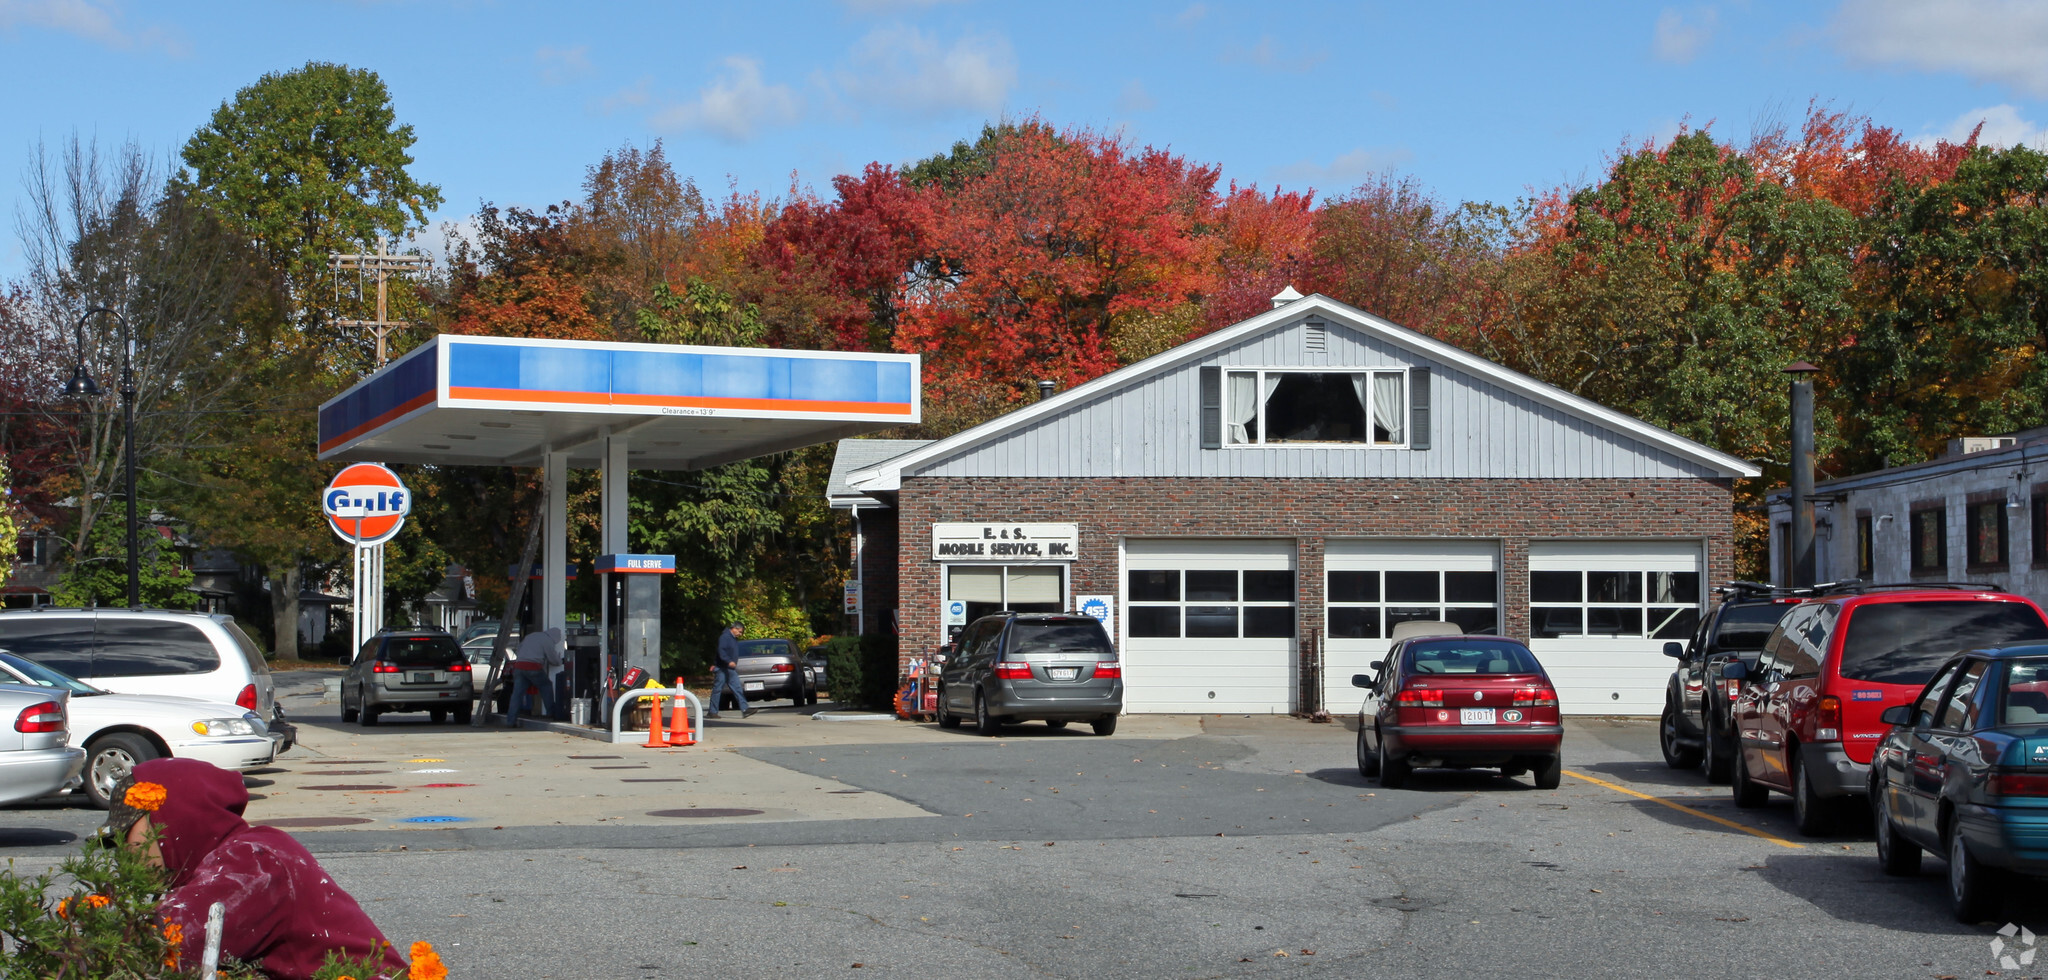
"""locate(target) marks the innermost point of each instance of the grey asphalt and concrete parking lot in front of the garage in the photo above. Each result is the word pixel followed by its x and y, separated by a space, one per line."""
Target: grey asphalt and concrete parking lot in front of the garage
pixel 1189 846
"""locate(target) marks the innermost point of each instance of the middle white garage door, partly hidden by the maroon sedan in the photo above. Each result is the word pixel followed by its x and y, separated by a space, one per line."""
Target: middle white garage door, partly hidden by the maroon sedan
pixel 1377 584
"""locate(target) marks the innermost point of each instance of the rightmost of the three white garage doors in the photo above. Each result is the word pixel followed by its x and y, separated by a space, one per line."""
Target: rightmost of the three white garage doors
pixel 1601 613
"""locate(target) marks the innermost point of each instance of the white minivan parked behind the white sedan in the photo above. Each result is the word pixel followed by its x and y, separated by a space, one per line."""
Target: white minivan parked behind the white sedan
pixel 146 652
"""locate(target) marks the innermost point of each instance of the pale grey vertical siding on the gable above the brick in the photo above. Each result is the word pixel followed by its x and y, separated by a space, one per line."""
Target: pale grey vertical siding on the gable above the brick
pixel 1152 429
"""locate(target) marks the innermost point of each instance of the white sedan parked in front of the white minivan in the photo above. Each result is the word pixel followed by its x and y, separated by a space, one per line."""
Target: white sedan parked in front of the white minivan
pixel 124 729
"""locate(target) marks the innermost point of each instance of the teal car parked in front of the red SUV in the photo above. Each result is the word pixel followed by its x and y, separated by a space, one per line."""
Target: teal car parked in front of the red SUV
pixel 1965 774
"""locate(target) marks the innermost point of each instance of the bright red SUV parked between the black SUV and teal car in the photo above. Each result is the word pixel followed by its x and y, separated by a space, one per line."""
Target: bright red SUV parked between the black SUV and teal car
pixel 1807 715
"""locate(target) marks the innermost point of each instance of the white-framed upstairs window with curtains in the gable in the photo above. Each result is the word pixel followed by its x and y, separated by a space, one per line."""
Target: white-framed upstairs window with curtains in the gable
pixel 1281 408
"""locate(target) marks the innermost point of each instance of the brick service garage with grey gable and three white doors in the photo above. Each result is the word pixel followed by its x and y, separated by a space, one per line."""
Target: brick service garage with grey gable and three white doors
pixel 1254 510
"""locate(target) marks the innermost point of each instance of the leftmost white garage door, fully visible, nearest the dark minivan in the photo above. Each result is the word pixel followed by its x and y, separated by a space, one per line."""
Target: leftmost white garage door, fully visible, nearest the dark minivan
pixel 1209 625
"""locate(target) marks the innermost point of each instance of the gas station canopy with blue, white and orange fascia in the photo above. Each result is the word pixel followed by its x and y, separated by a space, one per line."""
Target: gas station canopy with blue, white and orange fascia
pixel 509 402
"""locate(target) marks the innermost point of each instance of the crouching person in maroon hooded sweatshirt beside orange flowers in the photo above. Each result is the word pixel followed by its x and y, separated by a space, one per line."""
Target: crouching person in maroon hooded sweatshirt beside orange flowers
pixel 284 914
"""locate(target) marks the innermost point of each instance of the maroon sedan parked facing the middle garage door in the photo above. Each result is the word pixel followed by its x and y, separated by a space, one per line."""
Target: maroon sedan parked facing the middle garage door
pixel 1463 703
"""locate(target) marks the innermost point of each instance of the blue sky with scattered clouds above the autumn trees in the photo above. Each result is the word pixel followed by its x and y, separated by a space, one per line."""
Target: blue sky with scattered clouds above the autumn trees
pixel 1480 101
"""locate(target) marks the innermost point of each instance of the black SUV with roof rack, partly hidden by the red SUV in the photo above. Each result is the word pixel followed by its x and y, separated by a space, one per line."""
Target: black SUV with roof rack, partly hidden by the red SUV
pixel 1697 727
